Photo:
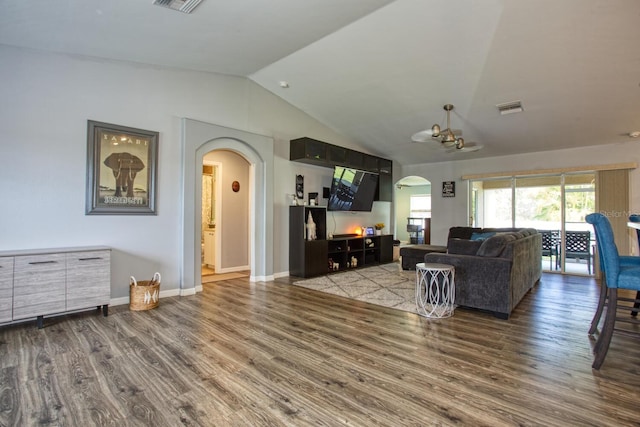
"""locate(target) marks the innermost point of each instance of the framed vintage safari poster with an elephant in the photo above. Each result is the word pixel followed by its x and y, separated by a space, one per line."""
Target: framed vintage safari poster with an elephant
pixel 121 170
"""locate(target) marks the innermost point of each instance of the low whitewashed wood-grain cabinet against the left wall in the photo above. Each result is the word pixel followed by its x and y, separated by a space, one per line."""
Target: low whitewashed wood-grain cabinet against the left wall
pixel 46 282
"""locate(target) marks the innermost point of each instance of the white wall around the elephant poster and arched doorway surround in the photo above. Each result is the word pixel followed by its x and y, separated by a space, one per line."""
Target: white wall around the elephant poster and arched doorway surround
pixel 46 102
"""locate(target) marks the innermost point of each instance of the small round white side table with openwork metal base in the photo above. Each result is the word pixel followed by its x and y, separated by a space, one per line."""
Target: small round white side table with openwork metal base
pixel 435 290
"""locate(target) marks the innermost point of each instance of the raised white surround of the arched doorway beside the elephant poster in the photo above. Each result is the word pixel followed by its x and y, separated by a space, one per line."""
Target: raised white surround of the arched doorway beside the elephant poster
pixel 199 138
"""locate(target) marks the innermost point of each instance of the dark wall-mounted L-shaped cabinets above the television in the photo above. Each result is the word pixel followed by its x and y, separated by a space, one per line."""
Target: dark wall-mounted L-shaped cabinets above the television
pixel 318 153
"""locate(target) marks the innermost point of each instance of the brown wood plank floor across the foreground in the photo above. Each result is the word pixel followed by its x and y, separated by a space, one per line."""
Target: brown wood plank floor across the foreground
pixel 270 354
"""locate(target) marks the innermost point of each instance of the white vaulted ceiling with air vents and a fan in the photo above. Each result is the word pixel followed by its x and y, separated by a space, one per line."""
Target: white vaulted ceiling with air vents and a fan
pixel 378 71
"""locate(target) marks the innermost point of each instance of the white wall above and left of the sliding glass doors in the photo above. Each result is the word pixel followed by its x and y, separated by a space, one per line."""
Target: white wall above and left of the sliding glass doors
pixel 450 211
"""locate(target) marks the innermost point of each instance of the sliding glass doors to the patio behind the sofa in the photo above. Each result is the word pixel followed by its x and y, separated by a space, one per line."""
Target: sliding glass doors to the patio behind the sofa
pixel 553 204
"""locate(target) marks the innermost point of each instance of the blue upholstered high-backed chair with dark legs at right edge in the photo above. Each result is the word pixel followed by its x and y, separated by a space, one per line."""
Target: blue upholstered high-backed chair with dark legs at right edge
pixel 617 276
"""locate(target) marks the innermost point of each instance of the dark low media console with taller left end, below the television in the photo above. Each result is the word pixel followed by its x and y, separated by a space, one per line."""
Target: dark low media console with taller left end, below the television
pixel 308 258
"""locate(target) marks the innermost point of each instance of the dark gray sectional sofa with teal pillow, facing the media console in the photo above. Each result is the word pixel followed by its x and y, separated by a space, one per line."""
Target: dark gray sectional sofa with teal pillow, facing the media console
pixel 493 273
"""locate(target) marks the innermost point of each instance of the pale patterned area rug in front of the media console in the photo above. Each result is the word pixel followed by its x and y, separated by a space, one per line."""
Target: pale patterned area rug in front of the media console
pixel 386 285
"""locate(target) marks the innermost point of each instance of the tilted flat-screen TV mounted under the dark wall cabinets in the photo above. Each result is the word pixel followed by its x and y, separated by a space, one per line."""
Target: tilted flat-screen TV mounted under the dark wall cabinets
pixel 352 190
